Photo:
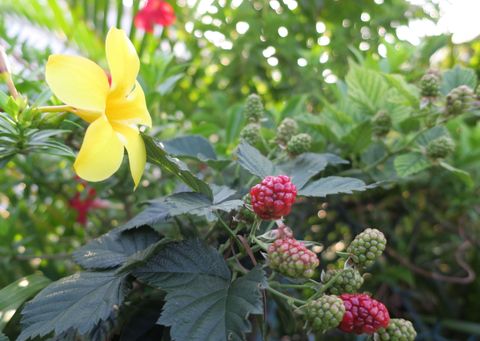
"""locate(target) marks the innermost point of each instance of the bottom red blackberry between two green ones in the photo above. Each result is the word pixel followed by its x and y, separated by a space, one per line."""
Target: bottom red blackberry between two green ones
pixel 363 314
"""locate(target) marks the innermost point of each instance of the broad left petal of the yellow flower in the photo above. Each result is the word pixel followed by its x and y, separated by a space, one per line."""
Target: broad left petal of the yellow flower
pixel 78 82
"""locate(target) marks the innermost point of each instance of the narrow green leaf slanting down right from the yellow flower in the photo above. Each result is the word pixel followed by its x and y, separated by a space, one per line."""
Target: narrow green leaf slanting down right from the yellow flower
pixel 156 154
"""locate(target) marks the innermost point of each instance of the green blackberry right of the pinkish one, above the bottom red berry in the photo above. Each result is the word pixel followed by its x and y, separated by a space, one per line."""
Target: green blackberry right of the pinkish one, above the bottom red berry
pixel 367 247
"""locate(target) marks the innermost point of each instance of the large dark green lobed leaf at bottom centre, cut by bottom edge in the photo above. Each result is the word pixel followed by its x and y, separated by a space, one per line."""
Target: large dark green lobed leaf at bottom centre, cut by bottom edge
pixel 202 302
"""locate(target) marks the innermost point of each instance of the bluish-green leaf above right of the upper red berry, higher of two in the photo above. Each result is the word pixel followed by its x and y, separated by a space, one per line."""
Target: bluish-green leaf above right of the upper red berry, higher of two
pixel 307 165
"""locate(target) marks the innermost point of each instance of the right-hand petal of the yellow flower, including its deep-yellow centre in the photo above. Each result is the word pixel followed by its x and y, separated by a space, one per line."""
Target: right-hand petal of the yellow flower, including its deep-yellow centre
pixel 129 110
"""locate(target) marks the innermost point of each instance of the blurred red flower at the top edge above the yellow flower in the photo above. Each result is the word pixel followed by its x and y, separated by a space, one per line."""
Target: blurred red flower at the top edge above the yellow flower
pixel 155 12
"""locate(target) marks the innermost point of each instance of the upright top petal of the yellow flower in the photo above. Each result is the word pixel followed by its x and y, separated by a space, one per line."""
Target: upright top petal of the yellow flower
pixel 122 60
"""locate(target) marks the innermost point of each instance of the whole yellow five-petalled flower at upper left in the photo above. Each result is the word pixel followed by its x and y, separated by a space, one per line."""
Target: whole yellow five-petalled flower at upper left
pixel 113 111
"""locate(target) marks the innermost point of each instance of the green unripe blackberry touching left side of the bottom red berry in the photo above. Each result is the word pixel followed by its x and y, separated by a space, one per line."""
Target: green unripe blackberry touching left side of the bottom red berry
pixel 324 313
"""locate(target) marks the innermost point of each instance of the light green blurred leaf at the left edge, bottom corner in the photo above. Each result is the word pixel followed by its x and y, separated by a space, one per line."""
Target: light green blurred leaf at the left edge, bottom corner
pixel 16 293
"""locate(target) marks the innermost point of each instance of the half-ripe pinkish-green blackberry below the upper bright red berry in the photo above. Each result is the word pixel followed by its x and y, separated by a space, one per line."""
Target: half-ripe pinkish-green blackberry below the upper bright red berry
pixel 291 258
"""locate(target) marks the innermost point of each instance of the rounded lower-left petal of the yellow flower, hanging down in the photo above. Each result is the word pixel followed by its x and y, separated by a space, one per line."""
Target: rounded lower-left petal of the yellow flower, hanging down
pixel 101 153
